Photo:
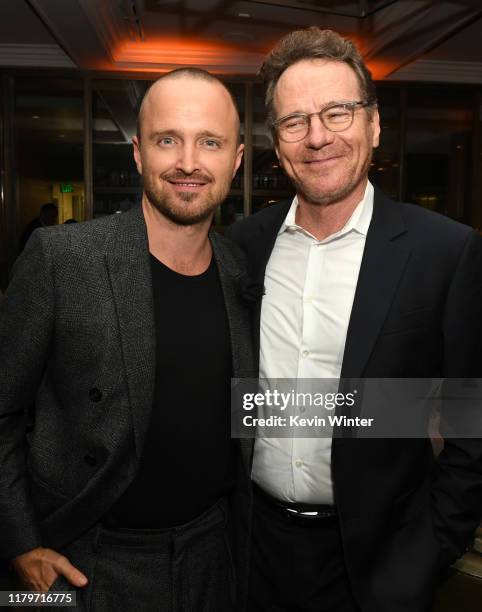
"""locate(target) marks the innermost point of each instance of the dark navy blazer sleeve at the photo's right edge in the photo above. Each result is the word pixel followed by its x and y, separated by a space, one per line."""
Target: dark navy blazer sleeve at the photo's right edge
pixel 457 476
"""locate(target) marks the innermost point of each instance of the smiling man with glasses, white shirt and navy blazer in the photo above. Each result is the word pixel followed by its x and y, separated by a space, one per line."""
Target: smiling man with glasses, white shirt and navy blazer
pixel 356 286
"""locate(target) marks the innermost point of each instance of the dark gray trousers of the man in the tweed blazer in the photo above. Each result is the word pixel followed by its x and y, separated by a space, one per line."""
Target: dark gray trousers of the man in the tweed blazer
pixel 186 569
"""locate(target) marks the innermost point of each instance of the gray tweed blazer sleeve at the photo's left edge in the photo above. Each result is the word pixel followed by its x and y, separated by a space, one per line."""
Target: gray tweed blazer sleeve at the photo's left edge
pixel 26 325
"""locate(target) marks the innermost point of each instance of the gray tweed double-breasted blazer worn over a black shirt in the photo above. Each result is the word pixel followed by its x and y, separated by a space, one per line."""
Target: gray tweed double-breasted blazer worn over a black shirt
pixel 77 345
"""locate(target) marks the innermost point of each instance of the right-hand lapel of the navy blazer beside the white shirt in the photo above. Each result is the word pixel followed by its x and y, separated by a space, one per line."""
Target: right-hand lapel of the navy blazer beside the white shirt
pixel 384 259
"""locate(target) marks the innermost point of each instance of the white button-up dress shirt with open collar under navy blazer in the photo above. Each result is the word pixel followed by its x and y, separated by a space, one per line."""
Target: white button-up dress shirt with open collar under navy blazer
pixel 309 289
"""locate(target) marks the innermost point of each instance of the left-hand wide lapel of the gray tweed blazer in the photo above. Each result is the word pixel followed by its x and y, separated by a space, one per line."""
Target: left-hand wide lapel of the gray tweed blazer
pixel 127 258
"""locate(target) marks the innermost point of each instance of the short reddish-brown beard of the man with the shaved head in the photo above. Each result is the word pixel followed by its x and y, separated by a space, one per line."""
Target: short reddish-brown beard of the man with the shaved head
pixel 185 208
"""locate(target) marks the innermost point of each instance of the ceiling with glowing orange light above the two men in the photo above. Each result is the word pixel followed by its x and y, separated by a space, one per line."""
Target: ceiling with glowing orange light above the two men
pixel 405 39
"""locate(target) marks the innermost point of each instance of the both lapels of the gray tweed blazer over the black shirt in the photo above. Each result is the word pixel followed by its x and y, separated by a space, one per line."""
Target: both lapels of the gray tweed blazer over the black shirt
pixel 127 258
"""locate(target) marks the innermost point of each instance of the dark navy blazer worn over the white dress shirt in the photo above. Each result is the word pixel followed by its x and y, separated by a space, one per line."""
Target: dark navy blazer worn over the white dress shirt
pixel 417 313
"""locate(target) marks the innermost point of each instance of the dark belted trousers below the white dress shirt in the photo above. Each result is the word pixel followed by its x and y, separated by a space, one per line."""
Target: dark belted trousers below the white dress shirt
pixel 297 563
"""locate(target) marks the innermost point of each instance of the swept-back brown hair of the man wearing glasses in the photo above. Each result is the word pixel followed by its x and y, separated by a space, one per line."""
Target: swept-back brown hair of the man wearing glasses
pixel 313 43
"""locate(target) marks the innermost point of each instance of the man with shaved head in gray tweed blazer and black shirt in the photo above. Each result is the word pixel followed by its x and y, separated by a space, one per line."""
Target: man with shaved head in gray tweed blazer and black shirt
pixel 125 332
